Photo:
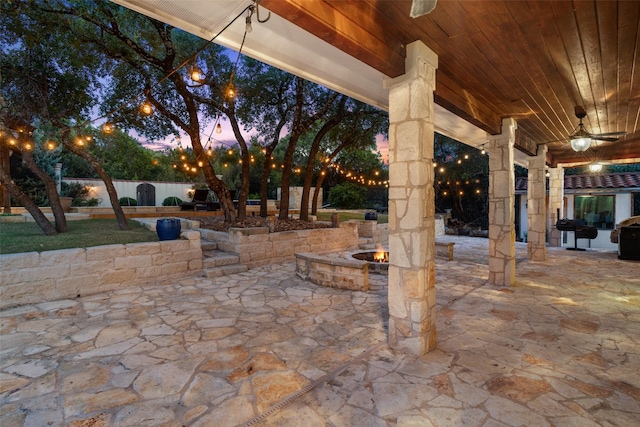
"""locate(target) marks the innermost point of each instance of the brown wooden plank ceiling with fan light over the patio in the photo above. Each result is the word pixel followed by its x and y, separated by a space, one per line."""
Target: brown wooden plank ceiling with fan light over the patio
pixel 530 60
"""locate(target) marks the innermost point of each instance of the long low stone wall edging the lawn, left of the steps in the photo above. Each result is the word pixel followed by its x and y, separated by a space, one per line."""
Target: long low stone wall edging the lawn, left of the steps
pixel 35 277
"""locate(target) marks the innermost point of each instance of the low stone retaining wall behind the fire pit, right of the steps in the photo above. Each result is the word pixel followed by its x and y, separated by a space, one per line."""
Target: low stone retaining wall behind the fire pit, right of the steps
pixel 256 246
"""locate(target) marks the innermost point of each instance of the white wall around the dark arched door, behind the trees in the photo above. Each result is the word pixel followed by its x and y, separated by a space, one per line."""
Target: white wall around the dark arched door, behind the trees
pixel 126 188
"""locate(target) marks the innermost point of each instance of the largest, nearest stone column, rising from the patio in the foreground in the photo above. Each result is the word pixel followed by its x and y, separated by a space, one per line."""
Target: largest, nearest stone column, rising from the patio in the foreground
pixel 412 293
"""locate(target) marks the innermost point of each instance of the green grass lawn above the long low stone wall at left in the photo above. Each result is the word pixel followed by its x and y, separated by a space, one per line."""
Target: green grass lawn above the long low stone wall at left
pixel 27 236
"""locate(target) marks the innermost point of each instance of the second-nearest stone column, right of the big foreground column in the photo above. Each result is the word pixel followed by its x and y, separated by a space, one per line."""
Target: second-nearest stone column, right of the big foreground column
pixel 502 232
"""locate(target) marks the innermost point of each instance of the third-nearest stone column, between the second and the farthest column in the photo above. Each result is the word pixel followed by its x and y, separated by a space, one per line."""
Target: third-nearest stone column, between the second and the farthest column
pixel 537 206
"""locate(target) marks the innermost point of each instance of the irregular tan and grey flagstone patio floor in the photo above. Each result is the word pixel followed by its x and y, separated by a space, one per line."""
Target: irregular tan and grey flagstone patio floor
pixel 561 347
